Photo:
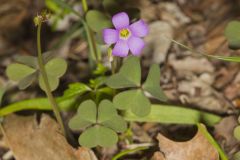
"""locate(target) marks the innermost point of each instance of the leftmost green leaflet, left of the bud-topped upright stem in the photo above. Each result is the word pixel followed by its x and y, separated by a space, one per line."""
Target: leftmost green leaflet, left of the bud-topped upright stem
pixel 17 71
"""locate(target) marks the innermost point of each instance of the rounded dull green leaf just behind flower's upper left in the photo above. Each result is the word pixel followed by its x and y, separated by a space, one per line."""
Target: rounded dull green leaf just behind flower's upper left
pixel 97 20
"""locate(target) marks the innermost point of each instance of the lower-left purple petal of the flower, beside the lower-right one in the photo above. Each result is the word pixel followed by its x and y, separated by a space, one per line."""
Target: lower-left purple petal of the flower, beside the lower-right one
pixel 120 49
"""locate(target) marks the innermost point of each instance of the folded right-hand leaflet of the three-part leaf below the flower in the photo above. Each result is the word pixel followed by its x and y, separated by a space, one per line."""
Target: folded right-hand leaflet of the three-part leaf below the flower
pixel 151 84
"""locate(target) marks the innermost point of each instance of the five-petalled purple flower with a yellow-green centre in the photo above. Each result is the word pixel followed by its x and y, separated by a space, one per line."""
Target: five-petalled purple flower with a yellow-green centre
pixel 125 37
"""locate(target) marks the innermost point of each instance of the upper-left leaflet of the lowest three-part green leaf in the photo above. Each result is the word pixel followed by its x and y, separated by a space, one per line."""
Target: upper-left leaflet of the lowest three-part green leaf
pixel 86 116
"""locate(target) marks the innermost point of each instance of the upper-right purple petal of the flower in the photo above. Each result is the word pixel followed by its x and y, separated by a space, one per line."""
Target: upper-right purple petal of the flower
pixel 139 28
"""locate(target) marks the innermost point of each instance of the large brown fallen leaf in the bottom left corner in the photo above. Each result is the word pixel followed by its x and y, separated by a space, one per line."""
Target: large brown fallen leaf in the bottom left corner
pixel 32 141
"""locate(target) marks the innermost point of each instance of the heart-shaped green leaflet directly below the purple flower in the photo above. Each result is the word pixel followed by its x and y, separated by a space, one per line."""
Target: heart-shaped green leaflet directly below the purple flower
pixel 128 76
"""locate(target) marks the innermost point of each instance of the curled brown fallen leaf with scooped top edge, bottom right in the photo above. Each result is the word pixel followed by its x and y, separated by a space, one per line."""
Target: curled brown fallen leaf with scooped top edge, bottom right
pixel 198 148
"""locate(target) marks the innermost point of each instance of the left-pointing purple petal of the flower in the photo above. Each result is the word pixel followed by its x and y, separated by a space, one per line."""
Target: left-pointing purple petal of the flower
pixel 110 36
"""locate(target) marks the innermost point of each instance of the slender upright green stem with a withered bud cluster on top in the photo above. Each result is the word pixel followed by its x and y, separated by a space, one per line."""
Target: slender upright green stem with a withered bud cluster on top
pixel 47 90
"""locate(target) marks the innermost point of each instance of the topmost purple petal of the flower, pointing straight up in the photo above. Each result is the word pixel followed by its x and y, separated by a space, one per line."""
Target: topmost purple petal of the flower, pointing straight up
pixel 120 20
